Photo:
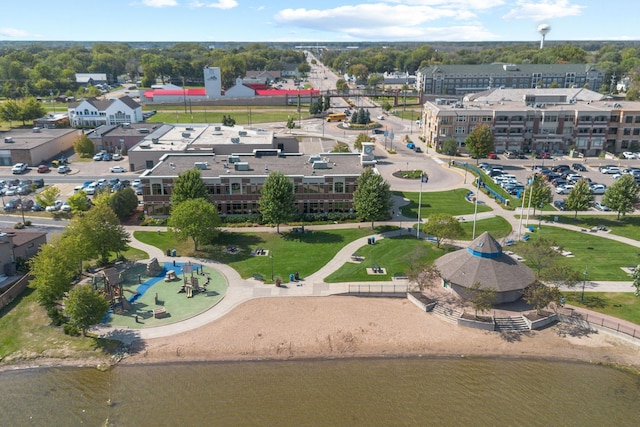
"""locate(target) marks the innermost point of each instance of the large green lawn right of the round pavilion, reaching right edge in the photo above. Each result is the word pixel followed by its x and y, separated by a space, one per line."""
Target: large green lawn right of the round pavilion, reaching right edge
pixel 604 257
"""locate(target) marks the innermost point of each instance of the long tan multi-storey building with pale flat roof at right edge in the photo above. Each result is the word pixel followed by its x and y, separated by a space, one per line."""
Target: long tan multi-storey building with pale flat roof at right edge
pixel 537 120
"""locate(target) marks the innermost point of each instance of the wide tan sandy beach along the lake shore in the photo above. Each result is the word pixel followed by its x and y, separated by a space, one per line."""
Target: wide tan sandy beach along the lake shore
pixel 345 326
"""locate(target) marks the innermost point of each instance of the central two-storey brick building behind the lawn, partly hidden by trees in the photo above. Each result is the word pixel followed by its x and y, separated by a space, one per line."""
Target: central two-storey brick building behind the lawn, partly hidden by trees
pixel 323 183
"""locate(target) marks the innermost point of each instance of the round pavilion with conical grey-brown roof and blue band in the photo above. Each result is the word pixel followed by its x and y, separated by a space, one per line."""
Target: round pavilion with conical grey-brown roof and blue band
pixel 484 262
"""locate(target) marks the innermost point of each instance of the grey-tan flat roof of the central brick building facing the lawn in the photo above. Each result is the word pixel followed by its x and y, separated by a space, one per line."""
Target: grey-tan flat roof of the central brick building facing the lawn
pixel 339 164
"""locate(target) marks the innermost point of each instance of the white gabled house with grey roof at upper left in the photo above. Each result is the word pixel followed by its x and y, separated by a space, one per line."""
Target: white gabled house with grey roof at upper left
pixel 93 112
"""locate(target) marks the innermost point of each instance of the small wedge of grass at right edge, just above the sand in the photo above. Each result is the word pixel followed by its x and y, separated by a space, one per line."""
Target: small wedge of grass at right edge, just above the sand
pixel 618 304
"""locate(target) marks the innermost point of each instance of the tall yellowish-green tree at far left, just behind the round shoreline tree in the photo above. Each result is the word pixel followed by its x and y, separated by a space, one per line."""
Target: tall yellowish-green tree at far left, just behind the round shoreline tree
pixel 53 271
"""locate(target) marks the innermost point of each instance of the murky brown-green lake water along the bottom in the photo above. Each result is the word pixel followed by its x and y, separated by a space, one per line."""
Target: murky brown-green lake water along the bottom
pixel 358 392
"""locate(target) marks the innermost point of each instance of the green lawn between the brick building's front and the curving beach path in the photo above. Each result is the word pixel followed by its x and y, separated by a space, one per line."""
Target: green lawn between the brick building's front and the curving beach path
pixel 292 252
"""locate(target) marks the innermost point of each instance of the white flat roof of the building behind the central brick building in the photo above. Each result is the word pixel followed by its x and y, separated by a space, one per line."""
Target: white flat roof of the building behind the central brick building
pixel 181 138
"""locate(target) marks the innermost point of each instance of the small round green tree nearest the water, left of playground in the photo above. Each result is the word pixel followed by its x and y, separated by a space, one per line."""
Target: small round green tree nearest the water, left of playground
pixel 85 307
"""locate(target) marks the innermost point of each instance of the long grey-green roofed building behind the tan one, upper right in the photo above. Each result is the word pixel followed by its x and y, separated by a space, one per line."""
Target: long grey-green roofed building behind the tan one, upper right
pixel 456 80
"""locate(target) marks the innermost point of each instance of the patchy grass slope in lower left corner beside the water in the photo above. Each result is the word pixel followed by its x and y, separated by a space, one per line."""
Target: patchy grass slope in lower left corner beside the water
pixel 26 333
